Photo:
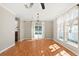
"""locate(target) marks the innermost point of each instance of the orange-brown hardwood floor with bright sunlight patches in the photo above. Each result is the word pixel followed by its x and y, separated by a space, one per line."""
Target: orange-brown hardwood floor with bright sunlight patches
pixel 42 47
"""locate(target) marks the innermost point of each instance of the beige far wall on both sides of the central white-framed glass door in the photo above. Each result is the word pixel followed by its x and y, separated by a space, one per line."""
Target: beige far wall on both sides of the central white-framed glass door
pixel 28 29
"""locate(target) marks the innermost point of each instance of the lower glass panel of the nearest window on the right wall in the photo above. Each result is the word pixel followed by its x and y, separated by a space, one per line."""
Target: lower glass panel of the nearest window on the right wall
pixel 72 38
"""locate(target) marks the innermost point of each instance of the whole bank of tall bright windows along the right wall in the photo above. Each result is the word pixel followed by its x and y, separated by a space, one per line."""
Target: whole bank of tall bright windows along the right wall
pixel 67 27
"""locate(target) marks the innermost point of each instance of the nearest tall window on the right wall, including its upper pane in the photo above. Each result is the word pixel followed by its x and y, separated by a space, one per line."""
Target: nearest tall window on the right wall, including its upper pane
pixel 72 28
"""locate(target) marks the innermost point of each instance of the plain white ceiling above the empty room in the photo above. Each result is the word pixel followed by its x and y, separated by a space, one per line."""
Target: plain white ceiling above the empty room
pixel 52 10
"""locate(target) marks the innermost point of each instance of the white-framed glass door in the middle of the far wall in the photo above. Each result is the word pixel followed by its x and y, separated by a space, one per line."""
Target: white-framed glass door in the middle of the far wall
pixel 37 30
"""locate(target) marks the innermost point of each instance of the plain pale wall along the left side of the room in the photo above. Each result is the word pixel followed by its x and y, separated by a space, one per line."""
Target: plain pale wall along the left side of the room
pixel 7 28
